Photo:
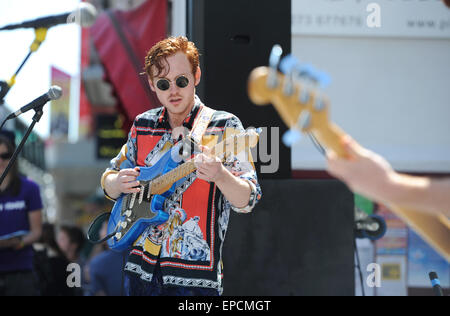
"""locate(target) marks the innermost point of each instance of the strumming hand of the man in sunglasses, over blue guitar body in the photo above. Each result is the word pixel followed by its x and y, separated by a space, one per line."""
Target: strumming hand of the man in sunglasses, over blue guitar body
pixel 123 181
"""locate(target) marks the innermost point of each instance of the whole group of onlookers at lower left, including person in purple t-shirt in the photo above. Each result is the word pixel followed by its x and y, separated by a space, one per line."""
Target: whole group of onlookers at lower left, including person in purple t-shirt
pixel 35 257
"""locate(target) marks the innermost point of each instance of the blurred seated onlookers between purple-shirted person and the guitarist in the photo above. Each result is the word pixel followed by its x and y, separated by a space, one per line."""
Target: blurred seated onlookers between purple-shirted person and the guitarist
pixel 100 267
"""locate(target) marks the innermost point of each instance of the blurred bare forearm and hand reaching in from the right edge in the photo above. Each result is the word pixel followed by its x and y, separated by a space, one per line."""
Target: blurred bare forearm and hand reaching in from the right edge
pixel 369 174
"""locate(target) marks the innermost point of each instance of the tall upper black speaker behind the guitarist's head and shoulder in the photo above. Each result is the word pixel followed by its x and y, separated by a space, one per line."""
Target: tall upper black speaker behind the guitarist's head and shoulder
pixel 234 37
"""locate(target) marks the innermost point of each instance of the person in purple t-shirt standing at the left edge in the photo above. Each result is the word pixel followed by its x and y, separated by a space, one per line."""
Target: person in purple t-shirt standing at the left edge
pixel 20 226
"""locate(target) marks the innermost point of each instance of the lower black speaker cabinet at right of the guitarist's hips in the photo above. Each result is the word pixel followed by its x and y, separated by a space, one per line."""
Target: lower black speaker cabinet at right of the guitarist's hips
pixel 297 241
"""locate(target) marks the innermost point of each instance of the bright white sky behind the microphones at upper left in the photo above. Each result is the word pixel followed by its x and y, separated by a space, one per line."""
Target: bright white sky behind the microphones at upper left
pixel 61 49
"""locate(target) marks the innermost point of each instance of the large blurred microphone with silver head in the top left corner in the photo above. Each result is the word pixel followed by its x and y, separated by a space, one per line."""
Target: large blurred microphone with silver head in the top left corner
pixel 84 15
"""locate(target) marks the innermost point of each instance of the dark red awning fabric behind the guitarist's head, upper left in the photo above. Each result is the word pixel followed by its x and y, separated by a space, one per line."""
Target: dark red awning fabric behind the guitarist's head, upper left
pixel 122 40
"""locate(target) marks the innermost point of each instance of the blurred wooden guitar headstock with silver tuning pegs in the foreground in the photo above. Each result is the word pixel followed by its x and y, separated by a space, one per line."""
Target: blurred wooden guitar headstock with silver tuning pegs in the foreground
pixel 296 94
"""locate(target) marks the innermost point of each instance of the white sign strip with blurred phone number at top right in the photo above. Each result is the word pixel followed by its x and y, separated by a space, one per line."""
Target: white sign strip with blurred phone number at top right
pixel 387 18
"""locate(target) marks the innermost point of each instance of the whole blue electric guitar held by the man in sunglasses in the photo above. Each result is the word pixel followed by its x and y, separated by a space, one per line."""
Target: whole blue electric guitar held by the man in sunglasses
pixel 132 213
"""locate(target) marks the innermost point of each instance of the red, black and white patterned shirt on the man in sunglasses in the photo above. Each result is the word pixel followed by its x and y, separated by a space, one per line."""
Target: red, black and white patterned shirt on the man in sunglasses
pixel 189 245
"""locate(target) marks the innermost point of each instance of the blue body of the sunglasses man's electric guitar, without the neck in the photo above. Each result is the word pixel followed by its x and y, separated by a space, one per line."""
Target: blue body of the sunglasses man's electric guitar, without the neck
pixel 149 211
